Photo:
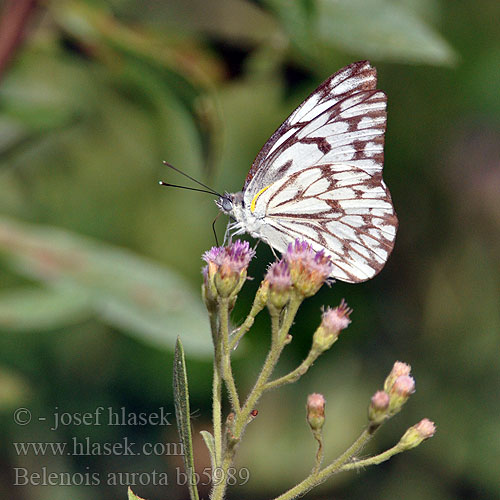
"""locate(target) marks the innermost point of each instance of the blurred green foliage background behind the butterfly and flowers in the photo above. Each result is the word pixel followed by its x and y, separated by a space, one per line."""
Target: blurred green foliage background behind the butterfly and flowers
pixel 100 267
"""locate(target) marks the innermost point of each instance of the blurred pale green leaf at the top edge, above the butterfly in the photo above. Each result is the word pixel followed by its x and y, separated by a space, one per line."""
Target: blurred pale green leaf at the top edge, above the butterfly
pixel 383 30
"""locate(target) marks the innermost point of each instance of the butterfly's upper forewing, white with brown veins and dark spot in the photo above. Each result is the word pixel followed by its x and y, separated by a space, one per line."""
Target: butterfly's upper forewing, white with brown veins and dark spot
pixel 342 120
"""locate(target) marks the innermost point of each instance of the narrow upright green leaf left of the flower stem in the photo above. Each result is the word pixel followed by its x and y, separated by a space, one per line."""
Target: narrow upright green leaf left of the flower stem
pixel 182 414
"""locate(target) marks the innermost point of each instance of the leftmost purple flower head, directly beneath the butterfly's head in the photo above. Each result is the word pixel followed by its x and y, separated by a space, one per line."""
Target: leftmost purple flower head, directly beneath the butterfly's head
pixel 227 269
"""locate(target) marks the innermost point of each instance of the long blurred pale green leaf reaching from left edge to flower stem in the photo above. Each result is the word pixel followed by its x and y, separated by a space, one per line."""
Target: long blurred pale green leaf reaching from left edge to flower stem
pixel 124 289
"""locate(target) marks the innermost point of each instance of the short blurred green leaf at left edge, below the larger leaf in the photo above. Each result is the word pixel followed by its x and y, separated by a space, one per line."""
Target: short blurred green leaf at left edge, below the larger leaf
pixel 39 309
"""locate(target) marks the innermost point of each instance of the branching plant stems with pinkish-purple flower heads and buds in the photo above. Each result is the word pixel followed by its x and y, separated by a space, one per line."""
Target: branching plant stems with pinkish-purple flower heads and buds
pixel 299 274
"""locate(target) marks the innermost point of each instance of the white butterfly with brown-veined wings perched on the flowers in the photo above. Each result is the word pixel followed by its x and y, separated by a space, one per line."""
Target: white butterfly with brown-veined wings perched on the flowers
pixel 319 178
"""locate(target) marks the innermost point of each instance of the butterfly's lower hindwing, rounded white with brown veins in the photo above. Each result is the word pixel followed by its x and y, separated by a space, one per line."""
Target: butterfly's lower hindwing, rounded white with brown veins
pixel 340 209
